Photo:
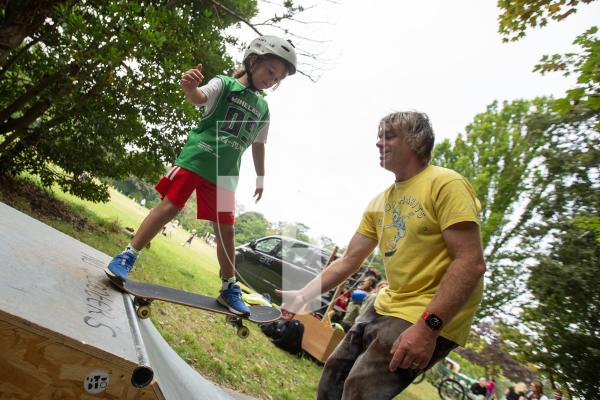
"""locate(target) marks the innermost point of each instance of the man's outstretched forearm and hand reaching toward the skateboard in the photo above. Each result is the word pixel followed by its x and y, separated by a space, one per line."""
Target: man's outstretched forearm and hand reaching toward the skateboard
pixel 359 248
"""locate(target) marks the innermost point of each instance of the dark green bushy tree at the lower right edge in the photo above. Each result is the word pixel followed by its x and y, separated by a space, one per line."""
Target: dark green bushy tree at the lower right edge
pixel 562 328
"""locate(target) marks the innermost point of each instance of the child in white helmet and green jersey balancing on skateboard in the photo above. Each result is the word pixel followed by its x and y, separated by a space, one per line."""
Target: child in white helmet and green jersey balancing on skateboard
pixel 236 116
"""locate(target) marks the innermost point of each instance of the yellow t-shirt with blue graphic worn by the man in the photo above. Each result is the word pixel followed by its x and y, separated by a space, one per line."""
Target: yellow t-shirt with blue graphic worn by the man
pixel 407 220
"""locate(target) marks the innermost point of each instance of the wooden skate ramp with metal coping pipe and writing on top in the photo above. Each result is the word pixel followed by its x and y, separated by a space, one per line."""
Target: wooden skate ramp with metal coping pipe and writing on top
pixel 66 333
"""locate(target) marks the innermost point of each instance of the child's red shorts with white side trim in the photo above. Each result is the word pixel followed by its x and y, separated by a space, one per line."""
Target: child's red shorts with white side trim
pixel 212 203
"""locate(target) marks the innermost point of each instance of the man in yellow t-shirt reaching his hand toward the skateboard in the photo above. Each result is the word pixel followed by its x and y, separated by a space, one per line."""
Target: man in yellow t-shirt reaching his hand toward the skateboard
pixel 427 228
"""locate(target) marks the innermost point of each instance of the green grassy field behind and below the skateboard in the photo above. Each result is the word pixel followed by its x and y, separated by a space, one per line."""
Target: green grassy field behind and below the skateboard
pixel 253 366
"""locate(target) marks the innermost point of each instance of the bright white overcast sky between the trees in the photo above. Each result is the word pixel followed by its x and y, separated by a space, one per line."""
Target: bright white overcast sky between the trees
pixel 441 57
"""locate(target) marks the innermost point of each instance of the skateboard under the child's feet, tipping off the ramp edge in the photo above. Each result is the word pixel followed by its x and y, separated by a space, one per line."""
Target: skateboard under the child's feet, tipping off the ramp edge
pixel 145 293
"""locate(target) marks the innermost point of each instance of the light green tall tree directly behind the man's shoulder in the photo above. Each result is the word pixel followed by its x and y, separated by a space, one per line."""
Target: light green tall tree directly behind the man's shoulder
pixel 500 155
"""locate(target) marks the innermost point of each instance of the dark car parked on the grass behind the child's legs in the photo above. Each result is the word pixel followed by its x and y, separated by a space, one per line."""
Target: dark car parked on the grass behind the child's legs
pixel 276 262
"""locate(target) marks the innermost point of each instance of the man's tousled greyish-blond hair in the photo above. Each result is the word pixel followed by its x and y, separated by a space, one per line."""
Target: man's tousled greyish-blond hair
pixel 415 127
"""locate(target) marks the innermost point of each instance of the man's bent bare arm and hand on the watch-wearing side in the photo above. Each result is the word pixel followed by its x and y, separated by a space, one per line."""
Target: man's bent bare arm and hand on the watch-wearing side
pixel 415 346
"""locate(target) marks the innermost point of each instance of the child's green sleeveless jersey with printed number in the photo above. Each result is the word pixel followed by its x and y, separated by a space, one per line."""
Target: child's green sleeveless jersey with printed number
pixel 214 148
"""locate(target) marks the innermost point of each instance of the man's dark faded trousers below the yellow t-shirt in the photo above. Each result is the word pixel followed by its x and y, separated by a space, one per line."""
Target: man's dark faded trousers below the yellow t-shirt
pixel 358 368
